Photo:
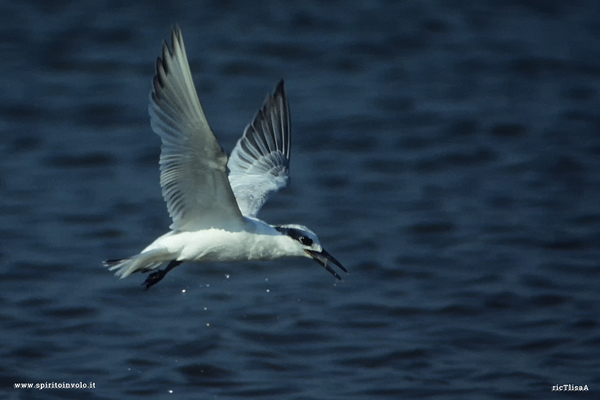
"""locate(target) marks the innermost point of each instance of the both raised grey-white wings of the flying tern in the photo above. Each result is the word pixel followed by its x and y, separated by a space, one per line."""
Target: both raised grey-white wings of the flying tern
pixel 193 166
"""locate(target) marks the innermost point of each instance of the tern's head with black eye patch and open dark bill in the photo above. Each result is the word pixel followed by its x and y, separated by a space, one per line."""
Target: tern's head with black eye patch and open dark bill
pixel 309 246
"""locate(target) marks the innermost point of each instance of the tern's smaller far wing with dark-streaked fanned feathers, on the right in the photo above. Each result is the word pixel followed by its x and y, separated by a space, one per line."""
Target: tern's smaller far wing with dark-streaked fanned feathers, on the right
pixel 259 164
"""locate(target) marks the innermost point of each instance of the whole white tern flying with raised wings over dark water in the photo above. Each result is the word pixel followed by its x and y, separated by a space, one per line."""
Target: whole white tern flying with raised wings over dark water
pixel 213 212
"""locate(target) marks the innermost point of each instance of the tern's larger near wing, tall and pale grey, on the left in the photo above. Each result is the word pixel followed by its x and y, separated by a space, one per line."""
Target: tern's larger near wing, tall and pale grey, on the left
pixel 193 166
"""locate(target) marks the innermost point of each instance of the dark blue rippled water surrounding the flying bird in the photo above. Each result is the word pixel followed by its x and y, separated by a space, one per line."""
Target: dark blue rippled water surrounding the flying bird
pixel 447 152
